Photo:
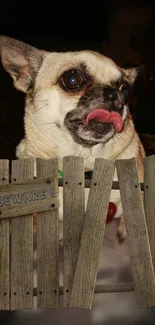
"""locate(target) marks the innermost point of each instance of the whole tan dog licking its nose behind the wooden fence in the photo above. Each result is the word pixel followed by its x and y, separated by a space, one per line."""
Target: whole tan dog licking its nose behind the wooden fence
pixel 76 104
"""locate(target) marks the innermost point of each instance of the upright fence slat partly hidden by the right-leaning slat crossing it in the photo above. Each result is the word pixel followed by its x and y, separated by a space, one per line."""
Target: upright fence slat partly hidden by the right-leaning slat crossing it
pixel 73 217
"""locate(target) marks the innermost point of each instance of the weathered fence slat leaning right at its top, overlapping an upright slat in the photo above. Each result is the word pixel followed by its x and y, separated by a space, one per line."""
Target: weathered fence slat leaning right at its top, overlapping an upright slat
pixel 92 235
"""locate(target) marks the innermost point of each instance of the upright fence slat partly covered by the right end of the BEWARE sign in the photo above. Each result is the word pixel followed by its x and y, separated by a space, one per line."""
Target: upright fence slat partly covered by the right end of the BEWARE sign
pixel 48 243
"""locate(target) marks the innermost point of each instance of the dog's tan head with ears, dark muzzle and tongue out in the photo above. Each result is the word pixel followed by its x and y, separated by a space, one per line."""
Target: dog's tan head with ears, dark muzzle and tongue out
pixel 83 93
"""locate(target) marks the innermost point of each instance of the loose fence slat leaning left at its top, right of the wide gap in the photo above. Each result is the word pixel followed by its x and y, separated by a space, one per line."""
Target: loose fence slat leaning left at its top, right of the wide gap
pixel 137 235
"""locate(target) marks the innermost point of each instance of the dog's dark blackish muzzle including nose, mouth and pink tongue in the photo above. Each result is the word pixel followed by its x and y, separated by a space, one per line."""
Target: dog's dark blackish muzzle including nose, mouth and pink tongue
pixel 98 115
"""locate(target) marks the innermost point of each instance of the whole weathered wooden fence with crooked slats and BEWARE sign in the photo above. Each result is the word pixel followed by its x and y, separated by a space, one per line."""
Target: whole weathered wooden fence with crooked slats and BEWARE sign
pixel 34 187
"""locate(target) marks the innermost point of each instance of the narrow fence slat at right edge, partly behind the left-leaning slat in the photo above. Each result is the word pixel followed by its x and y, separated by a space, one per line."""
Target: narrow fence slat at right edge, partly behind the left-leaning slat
pixel 149 200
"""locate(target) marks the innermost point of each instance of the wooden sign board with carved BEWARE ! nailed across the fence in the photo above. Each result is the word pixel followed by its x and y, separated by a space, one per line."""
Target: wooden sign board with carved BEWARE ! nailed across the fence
pixel 27 198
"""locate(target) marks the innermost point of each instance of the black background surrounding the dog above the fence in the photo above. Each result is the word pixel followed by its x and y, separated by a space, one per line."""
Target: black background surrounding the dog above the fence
pixel 110 27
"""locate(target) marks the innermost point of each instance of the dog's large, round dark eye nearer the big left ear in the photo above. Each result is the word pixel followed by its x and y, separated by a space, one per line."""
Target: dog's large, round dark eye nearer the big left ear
pixel 73 80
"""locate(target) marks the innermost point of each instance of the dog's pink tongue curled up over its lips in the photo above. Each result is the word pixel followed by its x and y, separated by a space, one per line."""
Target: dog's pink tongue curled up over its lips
pixel 103 115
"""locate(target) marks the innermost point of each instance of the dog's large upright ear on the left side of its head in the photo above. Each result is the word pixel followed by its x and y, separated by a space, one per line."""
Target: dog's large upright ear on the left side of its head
pixel 21 61
